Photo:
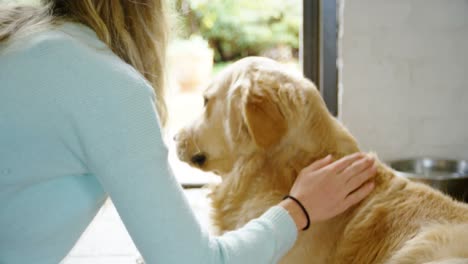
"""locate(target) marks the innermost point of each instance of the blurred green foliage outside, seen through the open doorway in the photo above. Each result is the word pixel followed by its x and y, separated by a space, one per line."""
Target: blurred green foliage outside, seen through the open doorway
pixel 238 28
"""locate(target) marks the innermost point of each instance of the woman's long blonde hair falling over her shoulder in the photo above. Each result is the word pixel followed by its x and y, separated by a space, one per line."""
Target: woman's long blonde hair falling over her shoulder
pixel 137 31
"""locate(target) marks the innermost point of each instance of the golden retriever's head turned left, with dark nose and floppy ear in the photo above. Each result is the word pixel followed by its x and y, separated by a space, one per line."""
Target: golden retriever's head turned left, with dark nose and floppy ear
pixel 255 106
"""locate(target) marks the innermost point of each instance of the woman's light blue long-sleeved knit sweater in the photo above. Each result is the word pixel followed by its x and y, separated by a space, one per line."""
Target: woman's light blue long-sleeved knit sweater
pixel 78 124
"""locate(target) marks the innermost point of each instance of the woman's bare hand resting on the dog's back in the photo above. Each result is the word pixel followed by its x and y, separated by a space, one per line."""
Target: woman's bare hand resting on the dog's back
pixel 328 188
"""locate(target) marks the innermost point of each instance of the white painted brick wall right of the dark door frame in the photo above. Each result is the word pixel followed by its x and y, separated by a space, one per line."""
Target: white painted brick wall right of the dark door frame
pixel 405 76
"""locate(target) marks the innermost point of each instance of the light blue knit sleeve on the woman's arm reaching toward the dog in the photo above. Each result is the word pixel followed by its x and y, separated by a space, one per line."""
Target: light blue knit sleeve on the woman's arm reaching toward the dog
pixel 115 119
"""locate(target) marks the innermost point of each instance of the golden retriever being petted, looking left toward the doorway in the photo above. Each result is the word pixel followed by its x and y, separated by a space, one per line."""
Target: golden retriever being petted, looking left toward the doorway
pixel 262 124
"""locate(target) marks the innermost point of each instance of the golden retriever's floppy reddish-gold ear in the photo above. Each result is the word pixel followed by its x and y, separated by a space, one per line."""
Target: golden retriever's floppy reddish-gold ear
pixel 264 119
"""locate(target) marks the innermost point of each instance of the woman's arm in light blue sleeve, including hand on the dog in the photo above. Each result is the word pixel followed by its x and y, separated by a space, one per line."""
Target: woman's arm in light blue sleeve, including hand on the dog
pixel 124 148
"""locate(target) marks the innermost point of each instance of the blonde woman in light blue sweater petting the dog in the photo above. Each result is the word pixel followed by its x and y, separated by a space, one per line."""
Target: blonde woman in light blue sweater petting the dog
pixel 80 99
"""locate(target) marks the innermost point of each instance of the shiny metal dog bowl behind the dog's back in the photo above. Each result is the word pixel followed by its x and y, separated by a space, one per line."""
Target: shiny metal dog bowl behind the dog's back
pixel 449 176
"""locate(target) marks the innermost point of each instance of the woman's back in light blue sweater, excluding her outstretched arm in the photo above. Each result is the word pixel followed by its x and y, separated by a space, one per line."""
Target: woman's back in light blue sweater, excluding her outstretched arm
pixel 50 81
